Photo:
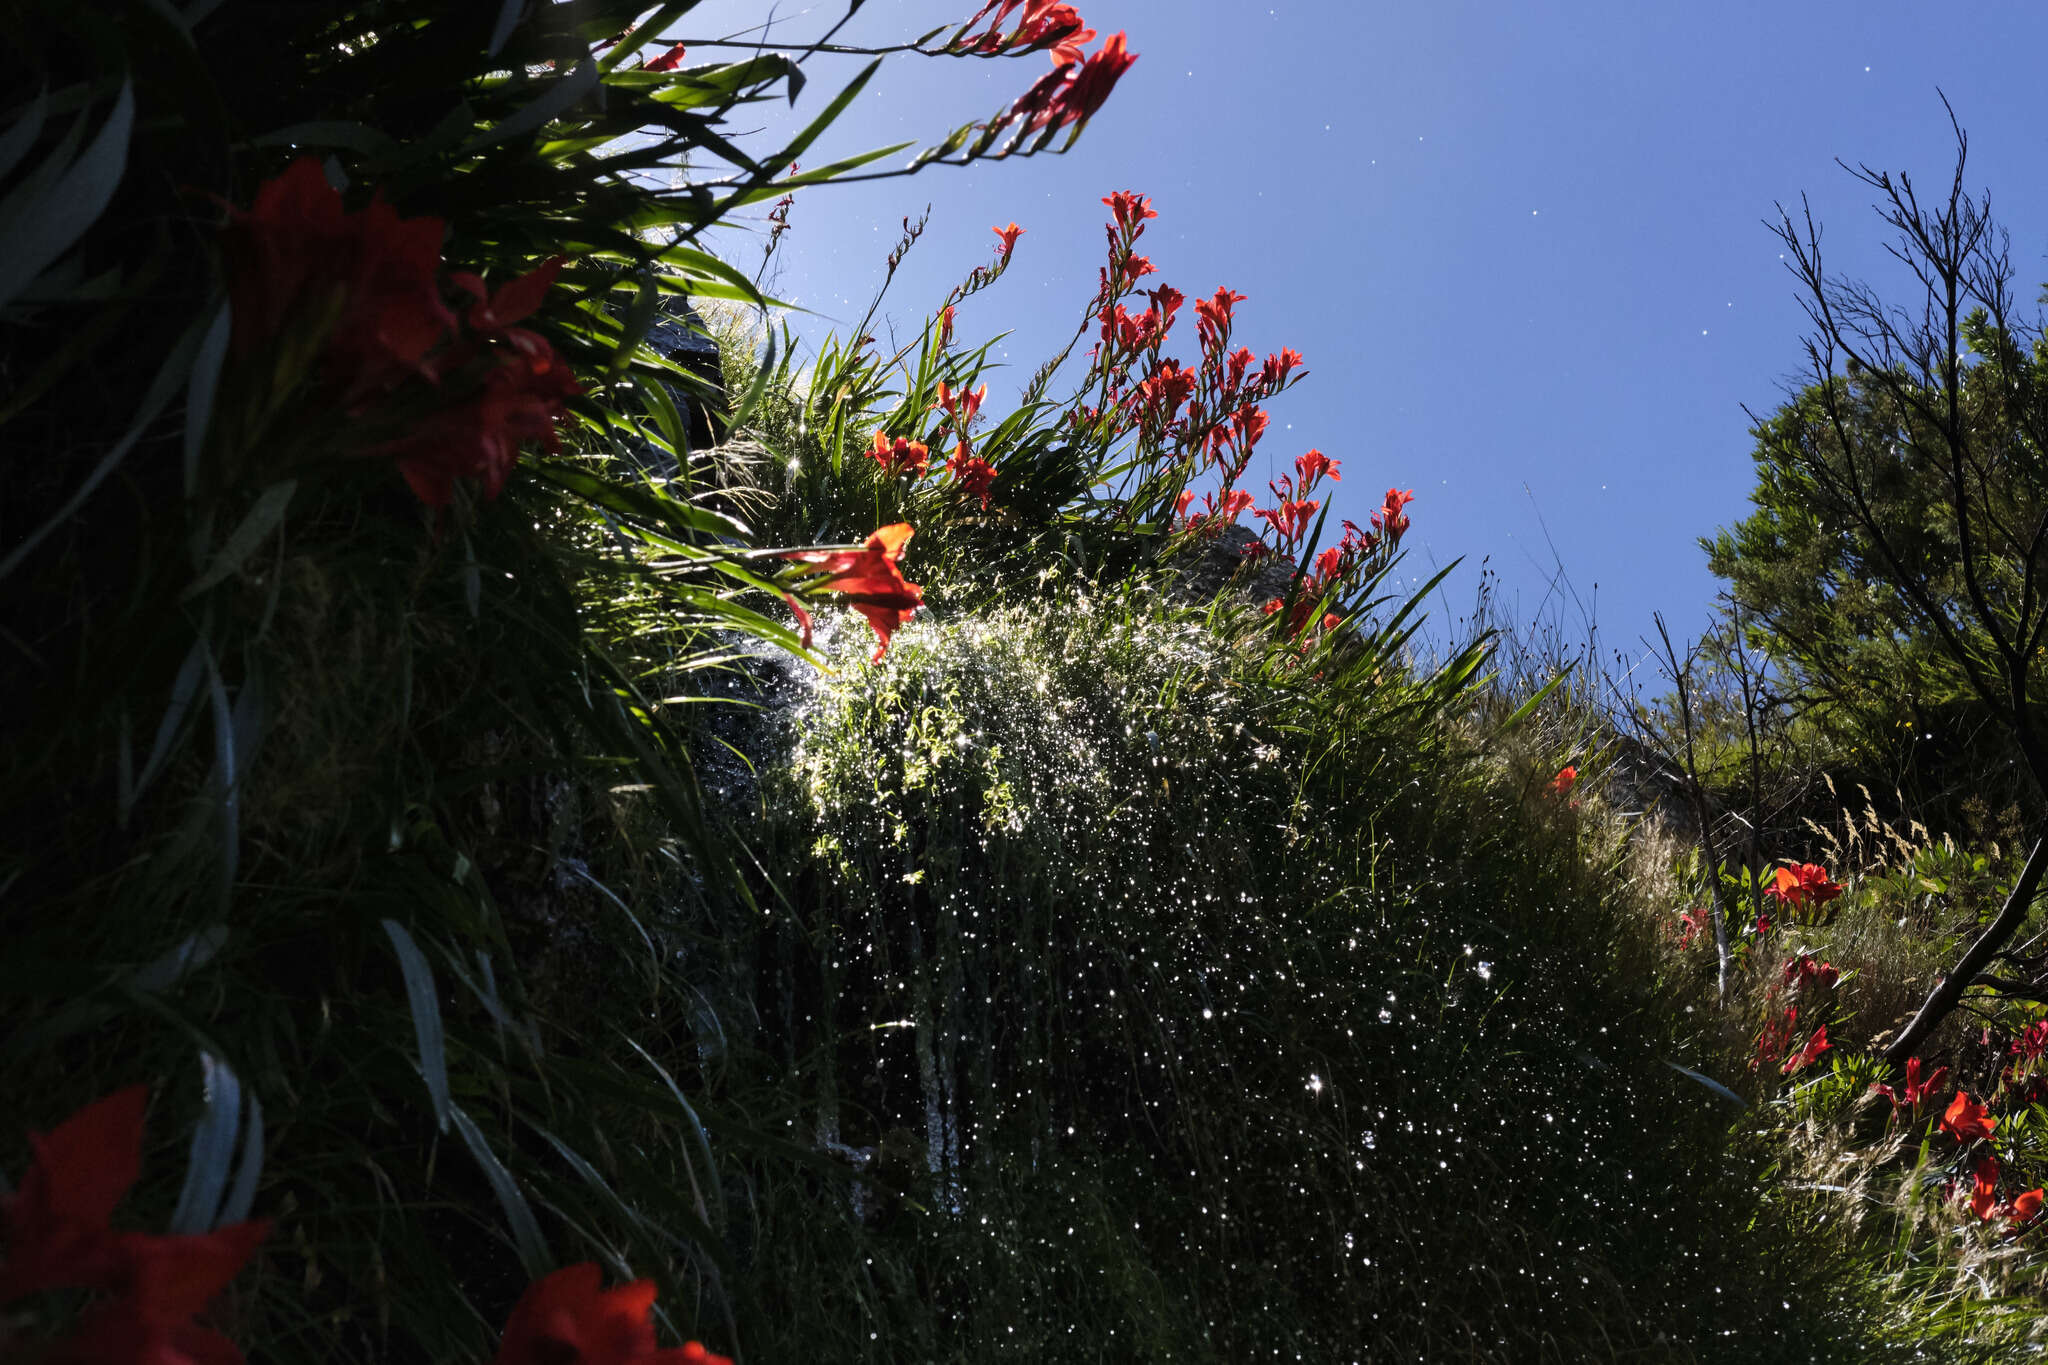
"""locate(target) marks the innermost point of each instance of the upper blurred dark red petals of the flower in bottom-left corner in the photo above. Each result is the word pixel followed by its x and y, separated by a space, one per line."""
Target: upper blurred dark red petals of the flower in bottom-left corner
pixel 56 1221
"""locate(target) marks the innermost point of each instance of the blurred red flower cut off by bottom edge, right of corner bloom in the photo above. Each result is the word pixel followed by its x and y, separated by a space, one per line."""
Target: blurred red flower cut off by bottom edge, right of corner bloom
pixel 572 1319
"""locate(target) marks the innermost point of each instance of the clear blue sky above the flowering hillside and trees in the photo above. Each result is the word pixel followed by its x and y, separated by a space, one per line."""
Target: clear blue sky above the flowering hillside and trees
pixel 1521 247
